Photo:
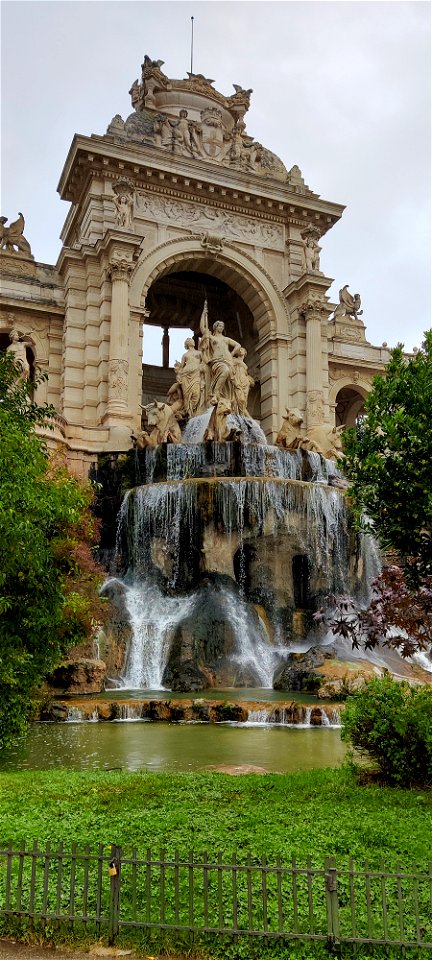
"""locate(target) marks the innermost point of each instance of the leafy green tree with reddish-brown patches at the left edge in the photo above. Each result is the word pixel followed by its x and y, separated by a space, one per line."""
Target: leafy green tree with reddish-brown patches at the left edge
pixel 48 577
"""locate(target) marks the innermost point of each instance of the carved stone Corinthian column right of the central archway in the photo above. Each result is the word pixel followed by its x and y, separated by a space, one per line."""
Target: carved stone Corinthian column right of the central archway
pixel 314 312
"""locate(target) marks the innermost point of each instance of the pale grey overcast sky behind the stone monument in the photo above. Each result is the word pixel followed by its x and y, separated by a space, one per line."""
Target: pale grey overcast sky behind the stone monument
pixel 340 88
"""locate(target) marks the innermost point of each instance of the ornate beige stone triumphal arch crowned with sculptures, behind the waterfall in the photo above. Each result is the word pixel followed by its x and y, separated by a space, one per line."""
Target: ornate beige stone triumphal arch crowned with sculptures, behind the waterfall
pixel 176 207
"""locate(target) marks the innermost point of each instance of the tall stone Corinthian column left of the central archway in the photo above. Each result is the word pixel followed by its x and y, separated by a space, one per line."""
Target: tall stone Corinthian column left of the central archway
pixel 120 269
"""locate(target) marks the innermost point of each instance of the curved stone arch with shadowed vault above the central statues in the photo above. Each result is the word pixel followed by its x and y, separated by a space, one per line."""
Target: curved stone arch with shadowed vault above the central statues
pixel 179 274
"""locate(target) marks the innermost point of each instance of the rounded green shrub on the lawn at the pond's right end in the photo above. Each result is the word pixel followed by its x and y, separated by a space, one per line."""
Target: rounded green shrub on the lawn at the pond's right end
pixel 391 722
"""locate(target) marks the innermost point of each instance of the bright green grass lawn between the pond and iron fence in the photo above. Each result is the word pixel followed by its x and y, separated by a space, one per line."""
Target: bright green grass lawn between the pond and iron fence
pixel 317 814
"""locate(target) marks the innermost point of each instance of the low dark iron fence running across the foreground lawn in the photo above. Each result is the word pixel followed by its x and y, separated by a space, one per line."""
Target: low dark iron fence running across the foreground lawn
pixel 108 890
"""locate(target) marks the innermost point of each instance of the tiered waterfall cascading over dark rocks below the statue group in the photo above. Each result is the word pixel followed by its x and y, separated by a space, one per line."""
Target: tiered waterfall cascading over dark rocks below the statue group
pixel 210 545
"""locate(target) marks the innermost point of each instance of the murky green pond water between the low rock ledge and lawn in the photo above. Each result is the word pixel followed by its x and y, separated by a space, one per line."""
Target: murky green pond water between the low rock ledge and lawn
pixel 169 747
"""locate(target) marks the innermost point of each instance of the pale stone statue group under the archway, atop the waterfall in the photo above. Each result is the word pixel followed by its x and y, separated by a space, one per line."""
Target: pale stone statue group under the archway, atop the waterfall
pixel 214 374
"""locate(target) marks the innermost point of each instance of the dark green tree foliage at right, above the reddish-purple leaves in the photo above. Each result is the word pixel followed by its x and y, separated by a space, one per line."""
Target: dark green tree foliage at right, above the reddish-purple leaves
pixel 387 460
